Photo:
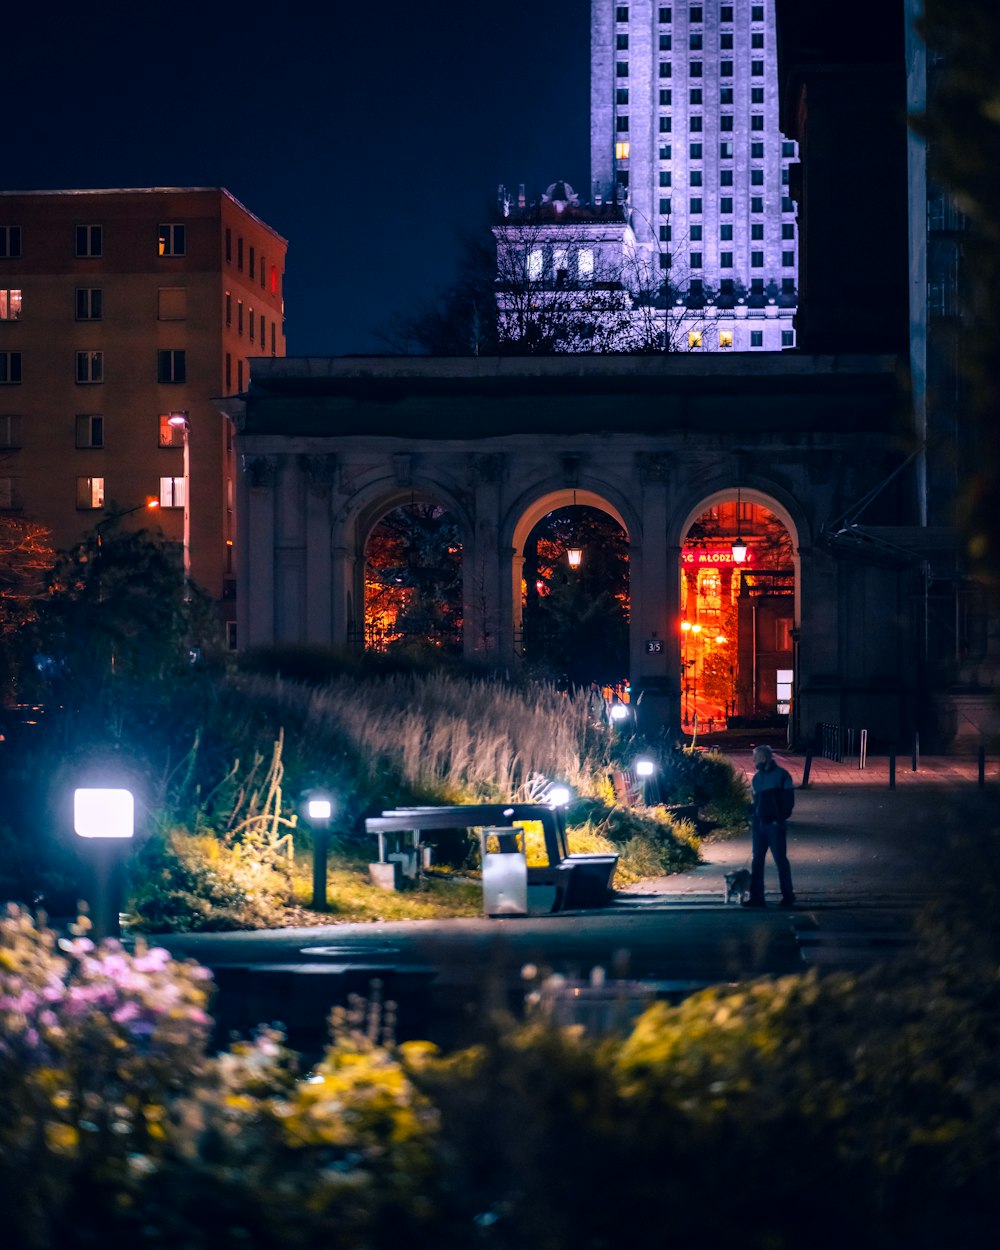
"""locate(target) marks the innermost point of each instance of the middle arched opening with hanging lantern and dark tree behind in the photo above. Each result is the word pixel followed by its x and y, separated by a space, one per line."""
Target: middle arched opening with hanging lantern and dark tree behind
pixel 573 591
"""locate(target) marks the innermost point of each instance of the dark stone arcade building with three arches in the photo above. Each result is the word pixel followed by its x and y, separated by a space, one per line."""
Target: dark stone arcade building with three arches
pixel 329 446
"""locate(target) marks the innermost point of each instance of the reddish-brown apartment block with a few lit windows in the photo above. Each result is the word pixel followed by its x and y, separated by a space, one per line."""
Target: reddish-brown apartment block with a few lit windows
pixel 119 311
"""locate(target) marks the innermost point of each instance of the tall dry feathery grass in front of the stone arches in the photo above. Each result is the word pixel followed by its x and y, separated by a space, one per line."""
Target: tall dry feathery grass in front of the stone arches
pixel 454 738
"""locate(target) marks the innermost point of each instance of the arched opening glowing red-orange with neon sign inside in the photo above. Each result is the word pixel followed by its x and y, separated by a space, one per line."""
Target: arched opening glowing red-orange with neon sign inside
pixel 738 607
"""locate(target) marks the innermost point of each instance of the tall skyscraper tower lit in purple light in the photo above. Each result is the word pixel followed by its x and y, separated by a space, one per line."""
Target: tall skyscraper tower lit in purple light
pixel 684 126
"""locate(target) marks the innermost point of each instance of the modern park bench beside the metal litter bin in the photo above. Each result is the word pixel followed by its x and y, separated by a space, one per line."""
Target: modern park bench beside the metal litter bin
pixel 566 882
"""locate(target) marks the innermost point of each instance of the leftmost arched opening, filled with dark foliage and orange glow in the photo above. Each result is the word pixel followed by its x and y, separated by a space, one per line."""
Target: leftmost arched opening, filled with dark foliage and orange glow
pixel 413 581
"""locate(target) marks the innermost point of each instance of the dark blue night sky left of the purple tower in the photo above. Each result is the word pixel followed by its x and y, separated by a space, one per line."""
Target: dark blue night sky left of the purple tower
pixel 368 134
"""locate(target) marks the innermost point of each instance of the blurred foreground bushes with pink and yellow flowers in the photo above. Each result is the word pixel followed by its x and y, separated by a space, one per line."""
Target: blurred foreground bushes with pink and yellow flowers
pixel 826 1112
